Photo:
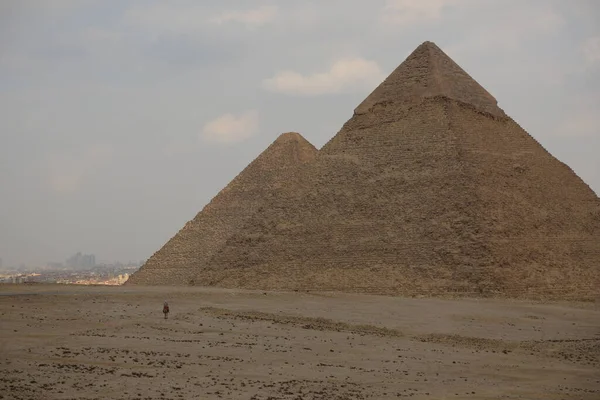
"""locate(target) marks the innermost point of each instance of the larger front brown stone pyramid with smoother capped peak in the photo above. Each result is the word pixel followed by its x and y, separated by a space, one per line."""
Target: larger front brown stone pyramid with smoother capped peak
pixel 429 188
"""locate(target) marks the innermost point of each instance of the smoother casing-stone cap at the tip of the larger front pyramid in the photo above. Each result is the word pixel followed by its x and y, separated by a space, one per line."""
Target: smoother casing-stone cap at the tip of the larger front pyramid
pixel 429 72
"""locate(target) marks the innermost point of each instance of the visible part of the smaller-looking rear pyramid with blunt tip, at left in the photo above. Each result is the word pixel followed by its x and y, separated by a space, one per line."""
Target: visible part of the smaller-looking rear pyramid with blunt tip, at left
pixel 273 173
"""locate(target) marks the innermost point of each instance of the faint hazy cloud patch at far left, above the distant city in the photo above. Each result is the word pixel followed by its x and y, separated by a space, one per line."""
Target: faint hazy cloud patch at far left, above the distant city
pixel 67 172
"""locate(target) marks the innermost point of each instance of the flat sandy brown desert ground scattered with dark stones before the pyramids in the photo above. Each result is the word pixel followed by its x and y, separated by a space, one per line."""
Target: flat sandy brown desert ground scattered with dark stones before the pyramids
pixel 78 342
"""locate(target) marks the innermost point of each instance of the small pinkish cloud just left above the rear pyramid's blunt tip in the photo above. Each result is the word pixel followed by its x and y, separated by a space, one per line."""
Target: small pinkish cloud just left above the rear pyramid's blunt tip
pixel 229 128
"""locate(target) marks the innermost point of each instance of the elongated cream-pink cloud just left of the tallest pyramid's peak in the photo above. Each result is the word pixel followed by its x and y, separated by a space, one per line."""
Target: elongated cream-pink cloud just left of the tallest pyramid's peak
pixel 343 75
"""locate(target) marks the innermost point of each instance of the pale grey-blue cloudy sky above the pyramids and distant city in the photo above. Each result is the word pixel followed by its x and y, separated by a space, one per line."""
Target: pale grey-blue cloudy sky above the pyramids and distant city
pixel 120 120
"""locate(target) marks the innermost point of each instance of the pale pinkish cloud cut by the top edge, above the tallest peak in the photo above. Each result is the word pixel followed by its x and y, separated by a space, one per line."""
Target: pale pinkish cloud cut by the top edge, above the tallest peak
pixel 410 12
